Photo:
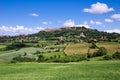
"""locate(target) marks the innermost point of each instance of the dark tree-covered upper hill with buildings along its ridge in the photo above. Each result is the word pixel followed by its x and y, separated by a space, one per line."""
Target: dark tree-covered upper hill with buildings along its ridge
pixel 65 34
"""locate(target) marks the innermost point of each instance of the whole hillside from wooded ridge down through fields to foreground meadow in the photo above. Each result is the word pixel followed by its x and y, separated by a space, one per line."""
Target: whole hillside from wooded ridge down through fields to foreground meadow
pixel 65 44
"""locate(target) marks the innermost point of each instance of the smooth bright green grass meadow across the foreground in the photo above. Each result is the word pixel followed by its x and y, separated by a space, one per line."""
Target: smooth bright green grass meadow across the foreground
pixel 94 70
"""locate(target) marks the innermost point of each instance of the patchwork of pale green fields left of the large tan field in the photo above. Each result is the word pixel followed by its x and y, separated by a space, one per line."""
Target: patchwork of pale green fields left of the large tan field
pixel 49 51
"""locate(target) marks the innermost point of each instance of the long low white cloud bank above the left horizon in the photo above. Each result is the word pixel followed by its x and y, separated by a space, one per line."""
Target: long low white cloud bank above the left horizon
pixel 17 30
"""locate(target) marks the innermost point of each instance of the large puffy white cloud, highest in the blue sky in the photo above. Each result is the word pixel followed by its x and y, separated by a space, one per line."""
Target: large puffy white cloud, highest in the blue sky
pixel 98 8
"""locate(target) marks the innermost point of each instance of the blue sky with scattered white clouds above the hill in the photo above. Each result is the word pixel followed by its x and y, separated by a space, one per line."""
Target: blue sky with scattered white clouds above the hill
pixel 31 16
